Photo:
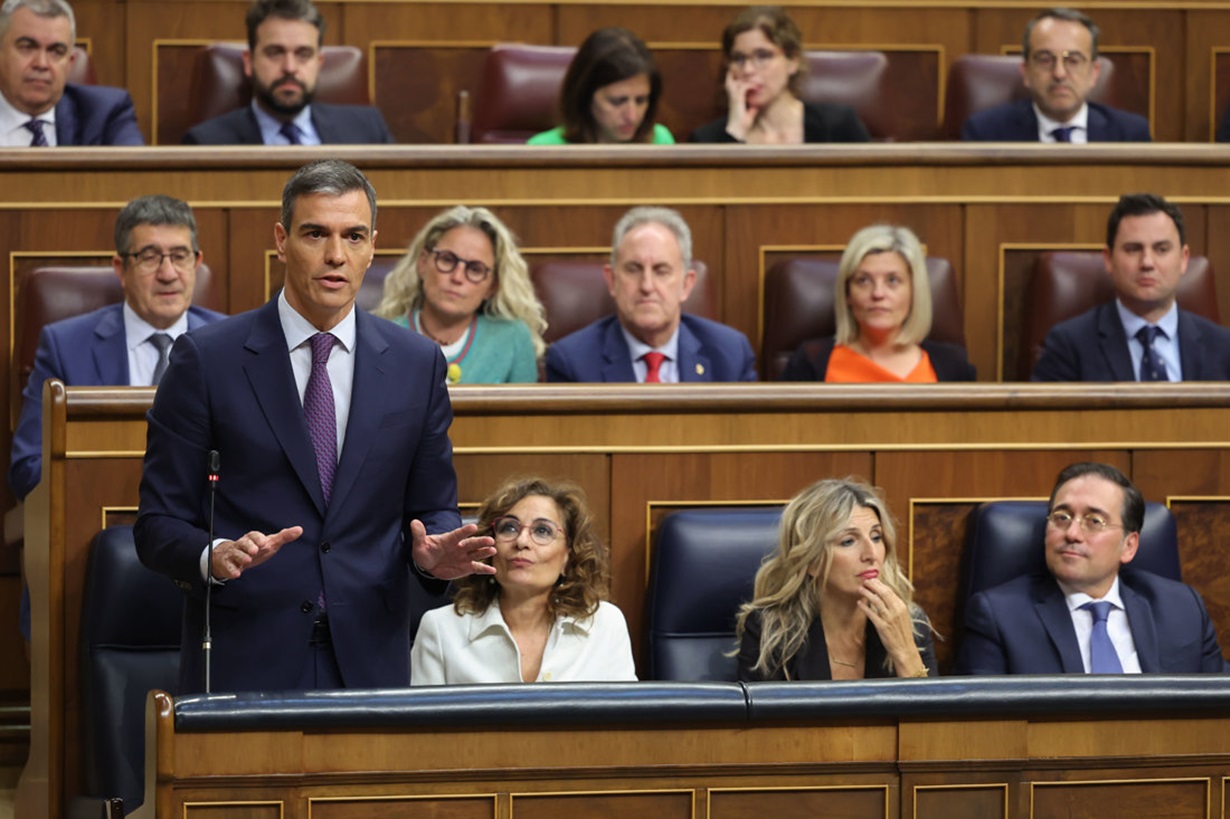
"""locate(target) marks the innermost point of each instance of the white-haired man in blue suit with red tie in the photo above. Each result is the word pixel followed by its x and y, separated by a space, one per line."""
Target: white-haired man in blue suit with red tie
pixel 650 340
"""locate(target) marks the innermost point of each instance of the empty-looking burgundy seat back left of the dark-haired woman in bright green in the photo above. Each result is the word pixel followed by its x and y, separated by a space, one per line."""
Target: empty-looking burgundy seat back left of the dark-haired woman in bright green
pixel 520 94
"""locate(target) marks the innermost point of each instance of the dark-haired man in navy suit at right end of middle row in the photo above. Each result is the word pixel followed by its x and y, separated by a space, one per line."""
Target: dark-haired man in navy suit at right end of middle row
pixel 1142 335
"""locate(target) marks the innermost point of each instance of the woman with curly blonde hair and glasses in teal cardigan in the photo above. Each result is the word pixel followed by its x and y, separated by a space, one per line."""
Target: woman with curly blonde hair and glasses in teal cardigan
pixel 464 285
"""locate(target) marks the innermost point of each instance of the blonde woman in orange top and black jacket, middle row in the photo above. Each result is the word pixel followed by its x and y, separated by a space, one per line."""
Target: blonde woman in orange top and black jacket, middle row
pixel 883 299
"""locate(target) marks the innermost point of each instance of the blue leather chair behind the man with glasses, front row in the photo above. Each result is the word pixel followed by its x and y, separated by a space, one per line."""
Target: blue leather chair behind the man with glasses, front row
pixel 1006 540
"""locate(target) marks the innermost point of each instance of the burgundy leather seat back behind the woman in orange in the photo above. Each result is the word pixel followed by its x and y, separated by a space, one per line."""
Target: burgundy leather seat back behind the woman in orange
pixel 799 306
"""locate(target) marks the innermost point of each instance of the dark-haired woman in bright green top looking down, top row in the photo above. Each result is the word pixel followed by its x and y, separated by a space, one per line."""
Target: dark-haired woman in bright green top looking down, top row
pixel 609 95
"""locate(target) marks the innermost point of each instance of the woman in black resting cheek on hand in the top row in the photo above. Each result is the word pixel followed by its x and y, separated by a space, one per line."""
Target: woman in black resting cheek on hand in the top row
pixel 766 68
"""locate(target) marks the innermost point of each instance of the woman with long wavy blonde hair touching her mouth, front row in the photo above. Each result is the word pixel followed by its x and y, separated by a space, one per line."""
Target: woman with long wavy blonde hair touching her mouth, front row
pixel 832 603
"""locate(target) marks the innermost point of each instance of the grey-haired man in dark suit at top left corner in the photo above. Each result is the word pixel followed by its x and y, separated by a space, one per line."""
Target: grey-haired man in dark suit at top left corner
pixel 39 108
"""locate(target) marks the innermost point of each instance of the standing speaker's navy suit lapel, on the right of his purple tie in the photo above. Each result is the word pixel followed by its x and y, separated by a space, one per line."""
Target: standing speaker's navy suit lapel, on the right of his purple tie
pixel 366 413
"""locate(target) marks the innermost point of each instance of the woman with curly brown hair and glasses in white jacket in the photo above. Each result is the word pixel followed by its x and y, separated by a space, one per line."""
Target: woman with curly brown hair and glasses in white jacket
pixel 543 617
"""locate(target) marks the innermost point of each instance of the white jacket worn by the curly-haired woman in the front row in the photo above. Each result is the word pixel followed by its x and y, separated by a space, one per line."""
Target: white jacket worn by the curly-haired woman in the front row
pixel 454 650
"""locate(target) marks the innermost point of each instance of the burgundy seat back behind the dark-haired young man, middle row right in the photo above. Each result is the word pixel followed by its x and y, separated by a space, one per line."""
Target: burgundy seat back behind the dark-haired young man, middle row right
pixel 1067 283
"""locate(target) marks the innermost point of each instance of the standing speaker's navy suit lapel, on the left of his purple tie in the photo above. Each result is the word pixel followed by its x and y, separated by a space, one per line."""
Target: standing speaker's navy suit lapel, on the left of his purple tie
pixel 274 383
